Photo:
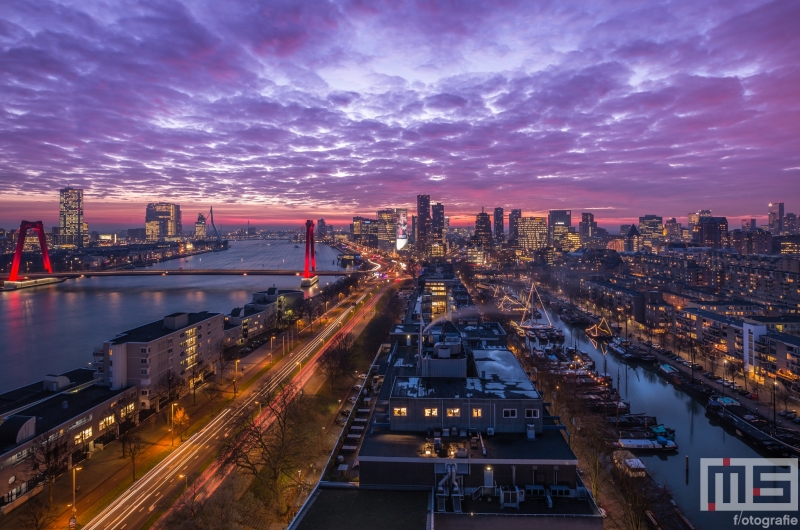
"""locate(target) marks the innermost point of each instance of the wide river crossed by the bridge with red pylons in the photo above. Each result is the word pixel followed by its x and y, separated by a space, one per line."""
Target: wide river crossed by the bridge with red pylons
pixel 54 328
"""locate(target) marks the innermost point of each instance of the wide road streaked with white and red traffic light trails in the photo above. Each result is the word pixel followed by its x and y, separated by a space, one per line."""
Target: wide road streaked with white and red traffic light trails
pixel 134 507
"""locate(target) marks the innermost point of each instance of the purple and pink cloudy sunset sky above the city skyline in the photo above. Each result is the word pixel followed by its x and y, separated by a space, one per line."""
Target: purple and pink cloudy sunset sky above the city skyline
pixel 282 110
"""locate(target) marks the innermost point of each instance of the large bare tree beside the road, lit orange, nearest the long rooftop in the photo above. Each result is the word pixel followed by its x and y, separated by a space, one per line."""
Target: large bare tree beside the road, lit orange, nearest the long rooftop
pixel 272 452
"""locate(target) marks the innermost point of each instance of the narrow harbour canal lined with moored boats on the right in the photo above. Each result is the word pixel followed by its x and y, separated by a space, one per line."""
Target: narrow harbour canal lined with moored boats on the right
pixel 696 437
